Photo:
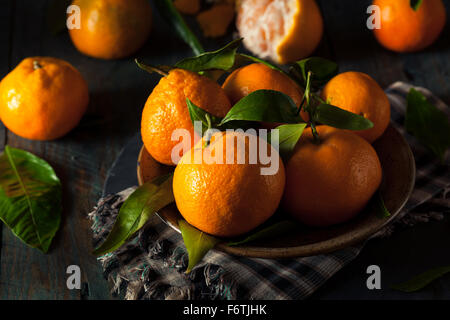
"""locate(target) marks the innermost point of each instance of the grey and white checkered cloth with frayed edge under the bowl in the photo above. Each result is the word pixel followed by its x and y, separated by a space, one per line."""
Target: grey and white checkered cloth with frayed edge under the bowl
pixel 152 265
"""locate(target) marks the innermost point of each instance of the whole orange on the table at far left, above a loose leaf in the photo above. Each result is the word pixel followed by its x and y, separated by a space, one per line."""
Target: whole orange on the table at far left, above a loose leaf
pixel 43 98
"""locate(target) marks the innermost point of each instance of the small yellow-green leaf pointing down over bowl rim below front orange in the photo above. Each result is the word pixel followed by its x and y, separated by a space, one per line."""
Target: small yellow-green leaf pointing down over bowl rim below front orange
pixel 197 243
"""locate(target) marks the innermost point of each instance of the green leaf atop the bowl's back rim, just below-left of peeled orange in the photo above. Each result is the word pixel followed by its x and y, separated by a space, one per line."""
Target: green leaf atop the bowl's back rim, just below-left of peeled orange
pixel 222 59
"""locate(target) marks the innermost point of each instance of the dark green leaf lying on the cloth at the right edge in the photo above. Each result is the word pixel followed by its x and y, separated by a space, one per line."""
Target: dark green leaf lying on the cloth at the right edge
pixel 427 123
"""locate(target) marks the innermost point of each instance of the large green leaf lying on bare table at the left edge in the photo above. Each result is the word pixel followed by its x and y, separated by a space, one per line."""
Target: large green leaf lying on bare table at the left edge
pixel 30 197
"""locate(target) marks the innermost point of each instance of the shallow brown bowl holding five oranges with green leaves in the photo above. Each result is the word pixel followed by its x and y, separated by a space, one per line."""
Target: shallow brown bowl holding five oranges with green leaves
pixel 291 163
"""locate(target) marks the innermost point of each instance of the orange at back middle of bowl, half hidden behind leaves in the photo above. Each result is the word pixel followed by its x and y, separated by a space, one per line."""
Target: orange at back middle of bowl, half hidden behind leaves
pixel 258 76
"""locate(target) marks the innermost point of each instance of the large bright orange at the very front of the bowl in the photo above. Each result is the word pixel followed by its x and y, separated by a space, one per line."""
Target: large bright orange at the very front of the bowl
pixel 226 200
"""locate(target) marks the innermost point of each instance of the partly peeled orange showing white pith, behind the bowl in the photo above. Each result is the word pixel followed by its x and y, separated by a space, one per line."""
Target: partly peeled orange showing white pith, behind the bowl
pixel 282 30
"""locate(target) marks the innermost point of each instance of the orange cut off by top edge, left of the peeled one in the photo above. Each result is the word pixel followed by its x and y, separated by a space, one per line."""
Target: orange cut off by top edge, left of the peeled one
pixel 111 29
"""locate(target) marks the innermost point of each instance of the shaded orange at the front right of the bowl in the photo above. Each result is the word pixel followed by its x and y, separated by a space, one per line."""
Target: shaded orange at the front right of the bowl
pixel 331 181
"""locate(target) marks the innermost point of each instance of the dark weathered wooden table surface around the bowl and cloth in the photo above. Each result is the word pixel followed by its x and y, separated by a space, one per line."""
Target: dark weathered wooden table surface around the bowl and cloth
pixel 118 92
